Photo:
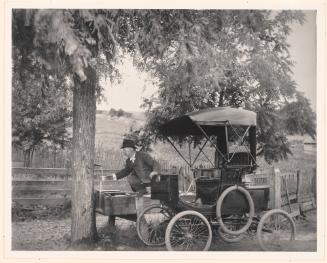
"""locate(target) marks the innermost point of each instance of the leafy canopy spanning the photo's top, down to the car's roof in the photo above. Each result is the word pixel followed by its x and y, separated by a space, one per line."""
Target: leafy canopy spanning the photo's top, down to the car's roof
pixel 201 58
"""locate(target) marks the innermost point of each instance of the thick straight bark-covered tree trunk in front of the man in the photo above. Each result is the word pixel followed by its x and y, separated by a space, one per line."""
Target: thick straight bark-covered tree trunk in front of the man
pixel 83 228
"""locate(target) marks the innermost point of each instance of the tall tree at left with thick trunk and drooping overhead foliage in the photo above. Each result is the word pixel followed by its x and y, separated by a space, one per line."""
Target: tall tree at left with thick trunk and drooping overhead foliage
pixel 70 43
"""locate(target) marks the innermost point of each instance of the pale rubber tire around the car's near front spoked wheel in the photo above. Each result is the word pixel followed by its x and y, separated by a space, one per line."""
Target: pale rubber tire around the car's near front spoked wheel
pixel 176 218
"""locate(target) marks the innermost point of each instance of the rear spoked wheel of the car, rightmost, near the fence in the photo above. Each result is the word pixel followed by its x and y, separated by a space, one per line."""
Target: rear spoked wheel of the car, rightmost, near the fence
pixel 276 231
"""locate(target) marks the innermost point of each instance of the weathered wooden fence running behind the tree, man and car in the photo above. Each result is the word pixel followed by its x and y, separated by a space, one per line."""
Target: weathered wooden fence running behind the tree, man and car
pixel 293 192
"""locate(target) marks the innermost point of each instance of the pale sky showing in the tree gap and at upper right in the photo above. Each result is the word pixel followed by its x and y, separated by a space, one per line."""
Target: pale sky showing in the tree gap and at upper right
pixel 128 94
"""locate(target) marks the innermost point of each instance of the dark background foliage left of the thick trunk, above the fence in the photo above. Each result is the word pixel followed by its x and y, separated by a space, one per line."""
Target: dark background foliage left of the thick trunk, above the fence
pixel 39 117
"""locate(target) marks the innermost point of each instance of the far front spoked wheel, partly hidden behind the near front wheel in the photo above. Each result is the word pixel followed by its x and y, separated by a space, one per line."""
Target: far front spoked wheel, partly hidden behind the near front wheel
pixel 152 223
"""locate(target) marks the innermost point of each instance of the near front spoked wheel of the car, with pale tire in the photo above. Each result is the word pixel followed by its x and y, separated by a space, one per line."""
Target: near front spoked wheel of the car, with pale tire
pixel 190 231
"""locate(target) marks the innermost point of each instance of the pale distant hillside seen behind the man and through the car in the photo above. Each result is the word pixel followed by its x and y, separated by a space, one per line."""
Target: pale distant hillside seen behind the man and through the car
pixel 110 133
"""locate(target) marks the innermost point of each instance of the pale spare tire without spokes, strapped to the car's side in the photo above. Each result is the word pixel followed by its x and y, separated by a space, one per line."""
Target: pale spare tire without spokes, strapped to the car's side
pixel 219 205
